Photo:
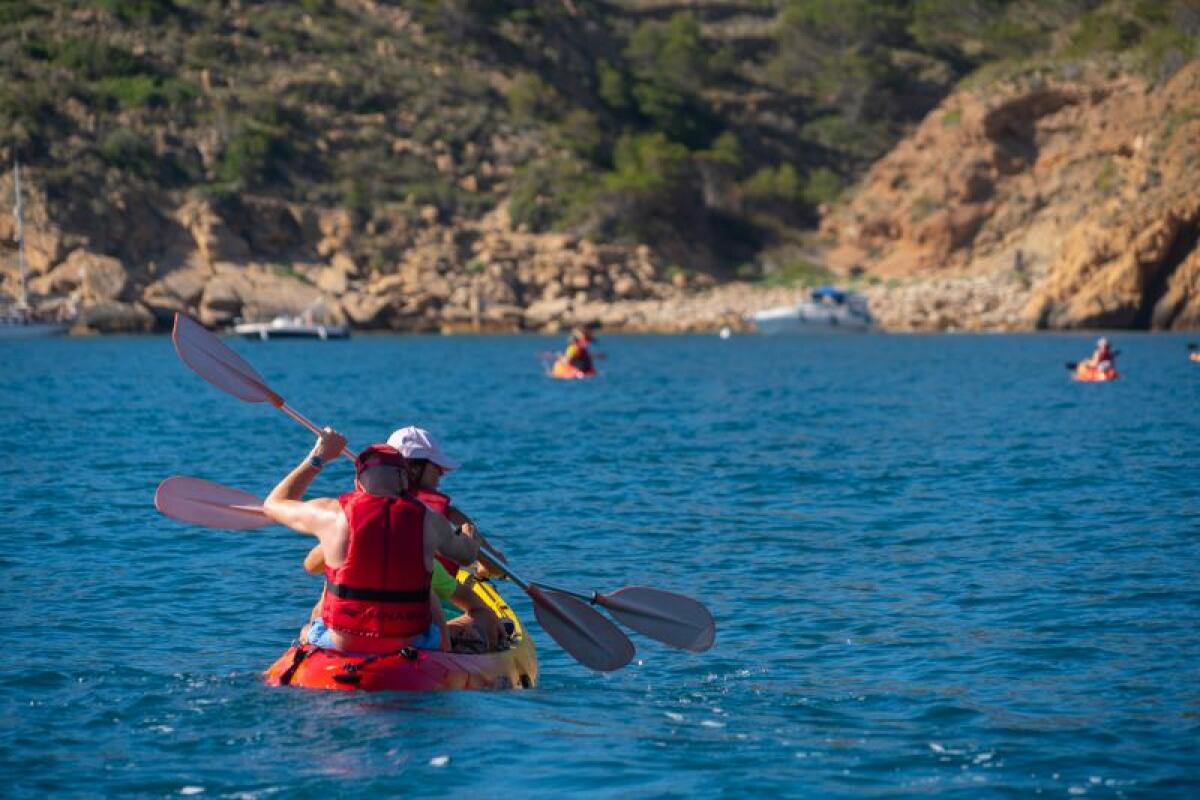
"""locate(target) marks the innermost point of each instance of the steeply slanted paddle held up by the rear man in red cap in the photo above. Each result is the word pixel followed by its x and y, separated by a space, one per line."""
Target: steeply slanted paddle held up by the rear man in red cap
pixel 579 629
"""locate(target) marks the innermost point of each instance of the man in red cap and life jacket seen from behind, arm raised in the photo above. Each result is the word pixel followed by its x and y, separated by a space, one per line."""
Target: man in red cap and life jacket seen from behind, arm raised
pixel 379 545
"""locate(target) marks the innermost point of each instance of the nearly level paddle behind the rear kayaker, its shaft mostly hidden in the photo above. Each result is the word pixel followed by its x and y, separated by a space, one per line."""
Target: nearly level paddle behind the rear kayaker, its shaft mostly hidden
pixel 674 619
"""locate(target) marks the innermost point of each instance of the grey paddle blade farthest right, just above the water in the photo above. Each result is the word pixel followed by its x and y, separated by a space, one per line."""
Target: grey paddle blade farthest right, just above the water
pixel 663 616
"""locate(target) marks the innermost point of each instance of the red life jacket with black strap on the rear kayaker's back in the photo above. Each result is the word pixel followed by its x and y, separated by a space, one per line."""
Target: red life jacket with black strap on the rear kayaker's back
pixel 383 588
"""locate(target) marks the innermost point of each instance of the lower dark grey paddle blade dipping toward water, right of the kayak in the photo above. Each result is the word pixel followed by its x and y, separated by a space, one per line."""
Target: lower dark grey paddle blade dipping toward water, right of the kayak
pixel 580 630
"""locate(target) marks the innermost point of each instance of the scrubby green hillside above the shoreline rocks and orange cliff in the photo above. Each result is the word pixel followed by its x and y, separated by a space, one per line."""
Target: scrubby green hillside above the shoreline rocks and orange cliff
pixel 710 130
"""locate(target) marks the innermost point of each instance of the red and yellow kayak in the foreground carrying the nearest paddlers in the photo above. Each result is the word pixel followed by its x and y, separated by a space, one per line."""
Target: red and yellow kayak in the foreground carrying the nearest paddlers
pixel 412 670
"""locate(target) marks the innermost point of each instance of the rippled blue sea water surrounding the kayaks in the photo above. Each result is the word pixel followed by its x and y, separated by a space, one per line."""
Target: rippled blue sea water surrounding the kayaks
pixel 939 569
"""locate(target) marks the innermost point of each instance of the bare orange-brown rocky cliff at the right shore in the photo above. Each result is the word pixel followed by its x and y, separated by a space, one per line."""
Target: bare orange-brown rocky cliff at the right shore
pixel 1066 203
